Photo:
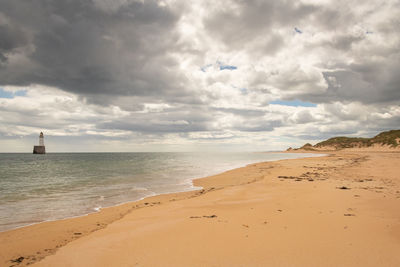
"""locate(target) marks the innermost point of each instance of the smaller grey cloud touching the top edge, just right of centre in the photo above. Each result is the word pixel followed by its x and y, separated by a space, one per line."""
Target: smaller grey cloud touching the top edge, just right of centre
pixel 243 21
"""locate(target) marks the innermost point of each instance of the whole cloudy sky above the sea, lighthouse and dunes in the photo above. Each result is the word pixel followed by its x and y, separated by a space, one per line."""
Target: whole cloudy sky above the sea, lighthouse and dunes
pixel 202 75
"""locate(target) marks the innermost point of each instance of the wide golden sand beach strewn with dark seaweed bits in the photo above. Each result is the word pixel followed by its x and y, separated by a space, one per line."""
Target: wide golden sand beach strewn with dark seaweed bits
pixel 338 210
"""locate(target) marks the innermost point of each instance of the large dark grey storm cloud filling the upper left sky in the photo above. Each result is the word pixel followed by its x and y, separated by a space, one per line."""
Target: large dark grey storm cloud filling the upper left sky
pixel 85 48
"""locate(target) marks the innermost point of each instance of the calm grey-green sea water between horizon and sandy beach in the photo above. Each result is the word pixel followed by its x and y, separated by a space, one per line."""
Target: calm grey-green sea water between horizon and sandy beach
pixel 37 188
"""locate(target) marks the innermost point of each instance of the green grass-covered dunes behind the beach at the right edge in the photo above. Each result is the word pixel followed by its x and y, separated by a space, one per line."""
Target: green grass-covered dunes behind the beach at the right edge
pixel 390 138
